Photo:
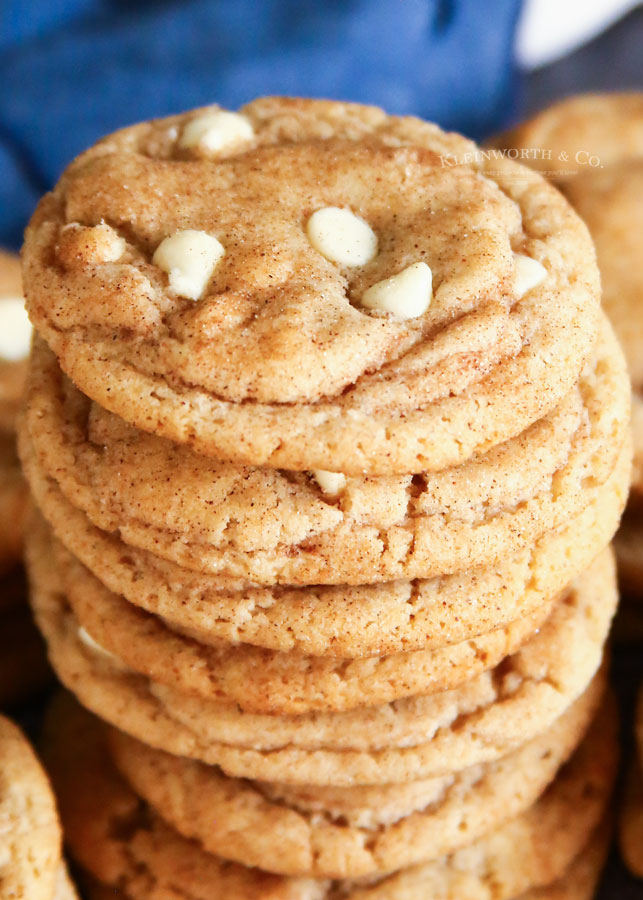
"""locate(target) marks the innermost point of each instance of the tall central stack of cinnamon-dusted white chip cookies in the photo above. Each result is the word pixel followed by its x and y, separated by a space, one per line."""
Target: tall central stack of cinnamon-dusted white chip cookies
pixel 327 436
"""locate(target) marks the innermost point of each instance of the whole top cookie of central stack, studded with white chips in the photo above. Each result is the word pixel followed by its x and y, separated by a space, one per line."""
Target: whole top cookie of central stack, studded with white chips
pixel 224 281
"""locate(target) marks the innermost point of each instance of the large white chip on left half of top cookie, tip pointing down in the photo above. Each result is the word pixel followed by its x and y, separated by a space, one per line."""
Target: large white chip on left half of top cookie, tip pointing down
pixel 189 257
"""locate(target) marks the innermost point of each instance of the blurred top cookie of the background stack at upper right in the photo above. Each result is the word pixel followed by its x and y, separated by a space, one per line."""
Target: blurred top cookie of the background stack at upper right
pixel 578 133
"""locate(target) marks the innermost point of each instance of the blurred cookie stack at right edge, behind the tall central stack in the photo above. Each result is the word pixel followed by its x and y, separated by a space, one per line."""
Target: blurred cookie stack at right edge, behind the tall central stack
pixel 592 146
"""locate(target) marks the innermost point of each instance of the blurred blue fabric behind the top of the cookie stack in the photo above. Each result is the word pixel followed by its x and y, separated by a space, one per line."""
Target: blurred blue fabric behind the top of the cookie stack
pixel 73 70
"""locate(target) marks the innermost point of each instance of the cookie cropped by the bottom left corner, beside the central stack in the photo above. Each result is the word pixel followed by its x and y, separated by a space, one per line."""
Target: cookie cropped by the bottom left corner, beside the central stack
pixel 30 856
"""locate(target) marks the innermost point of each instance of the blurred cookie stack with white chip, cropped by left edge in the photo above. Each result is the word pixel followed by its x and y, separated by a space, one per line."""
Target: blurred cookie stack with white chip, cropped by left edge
pixel 23 667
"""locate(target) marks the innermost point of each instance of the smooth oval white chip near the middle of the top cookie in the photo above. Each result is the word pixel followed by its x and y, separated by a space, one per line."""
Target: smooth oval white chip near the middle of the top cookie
pixel 341 236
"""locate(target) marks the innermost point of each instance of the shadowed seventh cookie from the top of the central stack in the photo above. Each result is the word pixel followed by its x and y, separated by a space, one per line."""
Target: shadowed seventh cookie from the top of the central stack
pixel 122 842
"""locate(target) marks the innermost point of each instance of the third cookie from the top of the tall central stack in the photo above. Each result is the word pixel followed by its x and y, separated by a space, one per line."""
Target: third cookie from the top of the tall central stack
pixel 342 621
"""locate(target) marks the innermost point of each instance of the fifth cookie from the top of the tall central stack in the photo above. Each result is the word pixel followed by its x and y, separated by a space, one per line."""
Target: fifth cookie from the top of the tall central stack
pixel 480 721
